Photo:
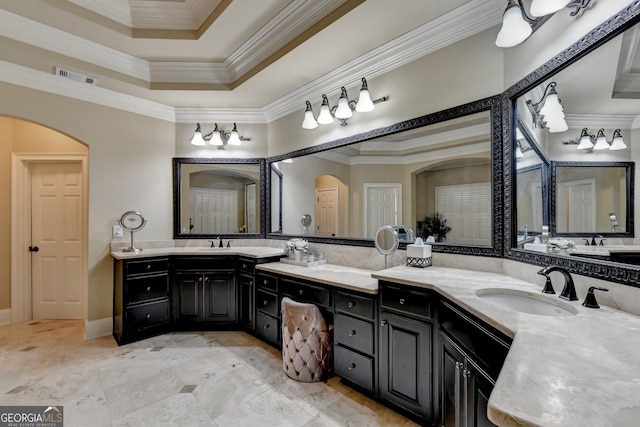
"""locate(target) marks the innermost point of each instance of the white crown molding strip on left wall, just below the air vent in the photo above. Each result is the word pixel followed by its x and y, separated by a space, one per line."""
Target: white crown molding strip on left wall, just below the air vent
pixel 50 83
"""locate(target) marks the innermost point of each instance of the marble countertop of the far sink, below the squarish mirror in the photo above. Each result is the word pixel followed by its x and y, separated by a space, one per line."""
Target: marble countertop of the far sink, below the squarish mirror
pixel 247 251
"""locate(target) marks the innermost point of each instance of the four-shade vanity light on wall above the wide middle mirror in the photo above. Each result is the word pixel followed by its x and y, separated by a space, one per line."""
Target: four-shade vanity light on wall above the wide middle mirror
pixel 343 111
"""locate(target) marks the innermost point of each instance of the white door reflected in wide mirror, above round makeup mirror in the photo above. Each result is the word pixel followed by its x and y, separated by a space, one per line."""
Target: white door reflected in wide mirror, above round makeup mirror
pixel 383 206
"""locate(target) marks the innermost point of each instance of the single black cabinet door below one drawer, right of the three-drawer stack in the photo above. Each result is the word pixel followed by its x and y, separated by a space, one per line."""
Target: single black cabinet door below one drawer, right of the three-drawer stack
pixel 405 363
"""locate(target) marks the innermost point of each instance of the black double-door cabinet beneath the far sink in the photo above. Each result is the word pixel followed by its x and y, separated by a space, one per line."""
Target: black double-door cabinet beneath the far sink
pixel 204 291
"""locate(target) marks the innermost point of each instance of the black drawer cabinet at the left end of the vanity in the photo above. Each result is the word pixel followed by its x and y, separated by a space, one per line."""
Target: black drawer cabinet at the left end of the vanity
pixel 140 298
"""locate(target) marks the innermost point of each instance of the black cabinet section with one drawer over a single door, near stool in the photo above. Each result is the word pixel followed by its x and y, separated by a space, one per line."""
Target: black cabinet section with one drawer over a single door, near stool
pixel 405 349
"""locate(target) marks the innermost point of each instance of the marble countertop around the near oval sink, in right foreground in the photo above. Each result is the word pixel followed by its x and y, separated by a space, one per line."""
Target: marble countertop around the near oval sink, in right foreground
pixel 579 370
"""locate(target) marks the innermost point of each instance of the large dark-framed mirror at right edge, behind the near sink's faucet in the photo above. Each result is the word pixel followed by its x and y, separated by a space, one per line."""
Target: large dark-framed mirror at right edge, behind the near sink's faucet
pixel 595 80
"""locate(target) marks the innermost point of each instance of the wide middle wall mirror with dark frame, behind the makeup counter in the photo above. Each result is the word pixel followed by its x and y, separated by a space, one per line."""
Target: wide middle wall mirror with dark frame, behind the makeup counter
pixel 445 166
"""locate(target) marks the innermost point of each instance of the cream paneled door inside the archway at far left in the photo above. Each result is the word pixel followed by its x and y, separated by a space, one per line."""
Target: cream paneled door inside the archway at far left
pixel 56 230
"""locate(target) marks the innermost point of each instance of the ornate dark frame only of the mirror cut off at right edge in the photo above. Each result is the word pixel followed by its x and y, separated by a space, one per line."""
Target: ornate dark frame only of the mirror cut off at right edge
pixel 620 273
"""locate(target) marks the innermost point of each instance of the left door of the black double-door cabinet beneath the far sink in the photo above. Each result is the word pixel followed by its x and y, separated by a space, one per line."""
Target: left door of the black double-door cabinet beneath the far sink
pixel 187 297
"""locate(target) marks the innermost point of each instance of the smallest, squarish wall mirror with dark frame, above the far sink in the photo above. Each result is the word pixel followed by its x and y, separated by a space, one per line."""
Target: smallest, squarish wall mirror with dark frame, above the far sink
pixel 218 198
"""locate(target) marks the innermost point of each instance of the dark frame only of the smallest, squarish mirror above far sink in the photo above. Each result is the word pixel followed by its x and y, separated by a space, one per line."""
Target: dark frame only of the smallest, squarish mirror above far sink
pixel 179 161
